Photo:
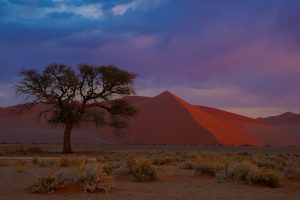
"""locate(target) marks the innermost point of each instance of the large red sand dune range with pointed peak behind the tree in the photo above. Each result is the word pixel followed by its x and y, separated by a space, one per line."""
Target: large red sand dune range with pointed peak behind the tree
pixel 164 119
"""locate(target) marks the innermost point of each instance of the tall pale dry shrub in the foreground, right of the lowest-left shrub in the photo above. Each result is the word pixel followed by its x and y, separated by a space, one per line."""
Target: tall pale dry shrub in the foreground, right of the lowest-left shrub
pixel 92 178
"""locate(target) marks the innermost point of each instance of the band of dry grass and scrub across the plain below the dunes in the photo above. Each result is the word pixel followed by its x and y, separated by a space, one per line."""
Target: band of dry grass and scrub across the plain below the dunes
pixel 111 170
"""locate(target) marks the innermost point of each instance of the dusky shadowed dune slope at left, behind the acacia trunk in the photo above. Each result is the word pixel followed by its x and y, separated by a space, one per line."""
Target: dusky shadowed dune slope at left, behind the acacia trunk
pixel 26 127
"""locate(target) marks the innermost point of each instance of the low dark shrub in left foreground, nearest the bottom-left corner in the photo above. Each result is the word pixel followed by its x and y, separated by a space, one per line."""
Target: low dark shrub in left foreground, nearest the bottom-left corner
pixel 48 183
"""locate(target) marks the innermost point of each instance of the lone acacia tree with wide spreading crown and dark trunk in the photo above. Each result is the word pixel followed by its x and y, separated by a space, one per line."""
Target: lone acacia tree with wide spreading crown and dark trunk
pixel 87 94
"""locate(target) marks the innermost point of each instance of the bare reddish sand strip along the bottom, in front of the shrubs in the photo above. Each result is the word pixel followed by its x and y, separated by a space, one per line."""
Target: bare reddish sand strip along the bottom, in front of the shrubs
pixel 166 187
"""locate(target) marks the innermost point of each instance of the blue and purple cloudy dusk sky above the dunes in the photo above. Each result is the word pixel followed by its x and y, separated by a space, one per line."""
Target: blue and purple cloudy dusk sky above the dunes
pixel 239 55
